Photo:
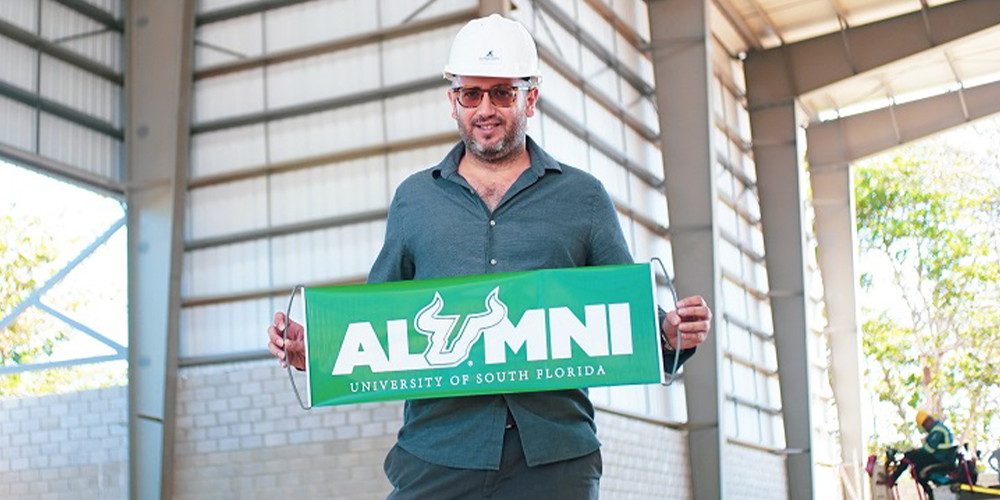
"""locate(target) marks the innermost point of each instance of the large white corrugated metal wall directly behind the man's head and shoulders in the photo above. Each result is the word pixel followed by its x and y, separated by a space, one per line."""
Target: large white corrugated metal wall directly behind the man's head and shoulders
pixel 307 117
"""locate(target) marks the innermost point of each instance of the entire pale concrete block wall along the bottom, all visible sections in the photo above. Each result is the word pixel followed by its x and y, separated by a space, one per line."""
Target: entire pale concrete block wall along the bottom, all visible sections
pixel 241 435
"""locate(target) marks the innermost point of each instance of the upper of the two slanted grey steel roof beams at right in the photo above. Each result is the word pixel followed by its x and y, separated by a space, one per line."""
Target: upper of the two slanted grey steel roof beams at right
pixel 798 68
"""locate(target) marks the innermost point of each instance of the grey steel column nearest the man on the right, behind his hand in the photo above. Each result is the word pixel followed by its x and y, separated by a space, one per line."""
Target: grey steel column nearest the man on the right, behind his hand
pixel 681 42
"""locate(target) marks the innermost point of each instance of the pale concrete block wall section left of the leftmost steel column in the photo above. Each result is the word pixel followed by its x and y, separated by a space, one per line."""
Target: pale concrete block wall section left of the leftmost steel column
pixel 69 446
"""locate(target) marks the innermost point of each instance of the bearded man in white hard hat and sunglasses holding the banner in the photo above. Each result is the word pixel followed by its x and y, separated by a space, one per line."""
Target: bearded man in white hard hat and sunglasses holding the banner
pixel 499 203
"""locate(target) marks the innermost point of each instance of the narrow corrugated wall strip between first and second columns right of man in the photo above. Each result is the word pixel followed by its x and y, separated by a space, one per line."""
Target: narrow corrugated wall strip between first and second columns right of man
pixel 749 369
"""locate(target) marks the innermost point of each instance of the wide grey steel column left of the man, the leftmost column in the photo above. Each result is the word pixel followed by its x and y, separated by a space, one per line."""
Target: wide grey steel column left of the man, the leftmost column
pixel 158 84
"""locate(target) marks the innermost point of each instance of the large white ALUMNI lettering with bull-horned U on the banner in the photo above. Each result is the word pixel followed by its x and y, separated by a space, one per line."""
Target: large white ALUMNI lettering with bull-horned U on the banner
pixel 605 330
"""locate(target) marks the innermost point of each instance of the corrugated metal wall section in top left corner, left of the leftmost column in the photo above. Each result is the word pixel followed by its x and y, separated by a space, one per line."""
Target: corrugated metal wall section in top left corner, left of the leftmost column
pixel 61 84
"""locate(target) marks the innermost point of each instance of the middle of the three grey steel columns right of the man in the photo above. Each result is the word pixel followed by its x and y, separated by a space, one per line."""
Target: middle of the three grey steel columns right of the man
pixel 779 184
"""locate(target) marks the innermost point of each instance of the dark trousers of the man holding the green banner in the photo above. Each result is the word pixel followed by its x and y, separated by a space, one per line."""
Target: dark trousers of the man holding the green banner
pixel 415 479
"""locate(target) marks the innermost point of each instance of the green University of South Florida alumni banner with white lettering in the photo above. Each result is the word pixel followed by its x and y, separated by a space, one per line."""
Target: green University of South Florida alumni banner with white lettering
pixel 500 333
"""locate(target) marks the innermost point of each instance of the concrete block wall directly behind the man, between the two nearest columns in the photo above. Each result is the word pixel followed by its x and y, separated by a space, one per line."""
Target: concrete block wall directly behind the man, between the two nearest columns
pixel 241 435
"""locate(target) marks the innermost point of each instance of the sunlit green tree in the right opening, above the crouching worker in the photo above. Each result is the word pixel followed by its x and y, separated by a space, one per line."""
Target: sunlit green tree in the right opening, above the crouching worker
pixel 928 214
